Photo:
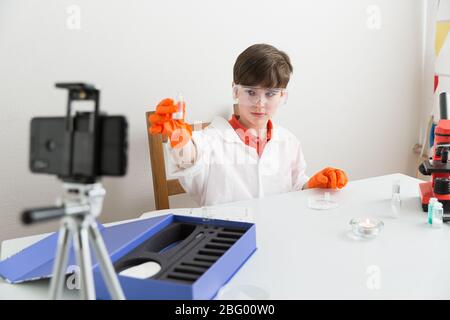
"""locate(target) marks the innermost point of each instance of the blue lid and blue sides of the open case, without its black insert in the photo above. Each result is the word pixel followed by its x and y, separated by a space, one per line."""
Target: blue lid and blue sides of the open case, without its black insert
pixel 36 261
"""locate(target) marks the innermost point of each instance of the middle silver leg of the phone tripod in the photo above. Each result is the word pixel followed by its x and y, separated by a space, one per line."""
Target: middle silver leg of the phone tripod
pixel 83 255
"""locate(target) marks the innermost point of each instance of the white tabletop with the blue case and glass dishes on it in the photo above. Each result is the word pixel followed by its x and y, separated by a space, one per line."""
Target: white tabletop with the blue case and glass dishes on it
pixel 308 254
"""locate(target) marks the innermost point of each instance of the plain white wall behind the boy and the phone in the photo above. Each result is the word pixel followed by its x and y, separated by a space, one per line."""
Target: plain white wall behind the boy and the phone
pixel 354 96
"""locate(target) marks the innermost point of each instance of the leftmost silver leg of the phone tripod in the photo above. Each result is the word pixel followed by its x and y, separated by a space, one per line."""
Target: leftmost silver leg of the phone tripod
pixel 62 254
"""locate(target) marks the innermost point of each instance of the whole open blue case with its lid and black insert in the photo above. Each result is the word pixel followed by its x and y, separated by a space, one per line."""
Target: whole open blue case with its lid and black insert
pixel 197 256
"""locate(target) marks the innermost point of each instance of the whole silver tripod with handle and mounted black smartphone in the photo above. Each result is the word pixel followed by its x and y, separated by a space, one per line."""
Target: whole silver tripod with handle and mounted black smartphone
pixel 79 149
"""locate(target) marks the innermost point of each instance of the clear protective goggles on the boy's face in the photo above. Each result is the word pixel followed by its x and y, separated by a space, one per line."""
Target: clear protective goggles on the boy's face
pixel 253 96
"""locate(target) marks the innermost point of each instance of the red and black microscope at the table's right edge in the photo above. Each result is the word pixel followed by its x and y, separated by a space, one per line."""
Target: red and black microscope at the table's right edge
pixel 438 166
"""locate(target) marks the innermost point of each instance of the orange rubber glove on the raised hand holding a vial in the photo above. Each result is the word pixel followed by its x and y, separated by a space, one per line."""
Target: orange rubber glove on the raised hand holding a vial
pixel 178 131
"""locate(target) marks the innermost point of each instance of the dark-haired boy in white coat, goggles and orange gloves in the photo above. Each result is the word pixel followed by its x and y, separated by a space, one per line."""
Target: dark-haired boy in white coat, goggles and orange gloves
pixel 248 156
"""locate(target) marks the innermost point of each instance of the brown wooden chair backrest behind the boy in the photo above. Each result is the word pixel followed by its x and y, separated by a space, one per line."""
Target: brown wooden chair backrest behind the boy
pixel 162 188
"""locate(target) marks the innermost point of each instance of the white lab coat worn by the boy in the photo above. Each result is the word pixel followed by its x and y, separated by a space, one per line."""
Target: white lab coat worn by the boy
pixel 226 169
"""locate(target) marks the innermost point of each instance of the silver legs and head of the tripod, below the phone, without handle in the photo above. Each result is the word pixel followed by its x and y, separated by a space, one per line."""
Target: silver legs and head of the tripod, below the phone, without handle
pixel 83 203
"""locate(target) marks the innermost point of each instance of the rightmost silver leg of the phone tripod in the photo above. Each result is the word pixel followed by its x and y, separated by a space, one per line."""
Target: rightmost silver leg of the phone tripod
pixel 106 267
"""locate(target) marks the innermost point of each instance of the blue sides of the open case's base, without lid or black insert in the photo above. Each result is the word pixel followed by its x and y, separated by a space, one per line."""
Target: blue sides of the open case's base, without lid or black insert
pixel 206 286
